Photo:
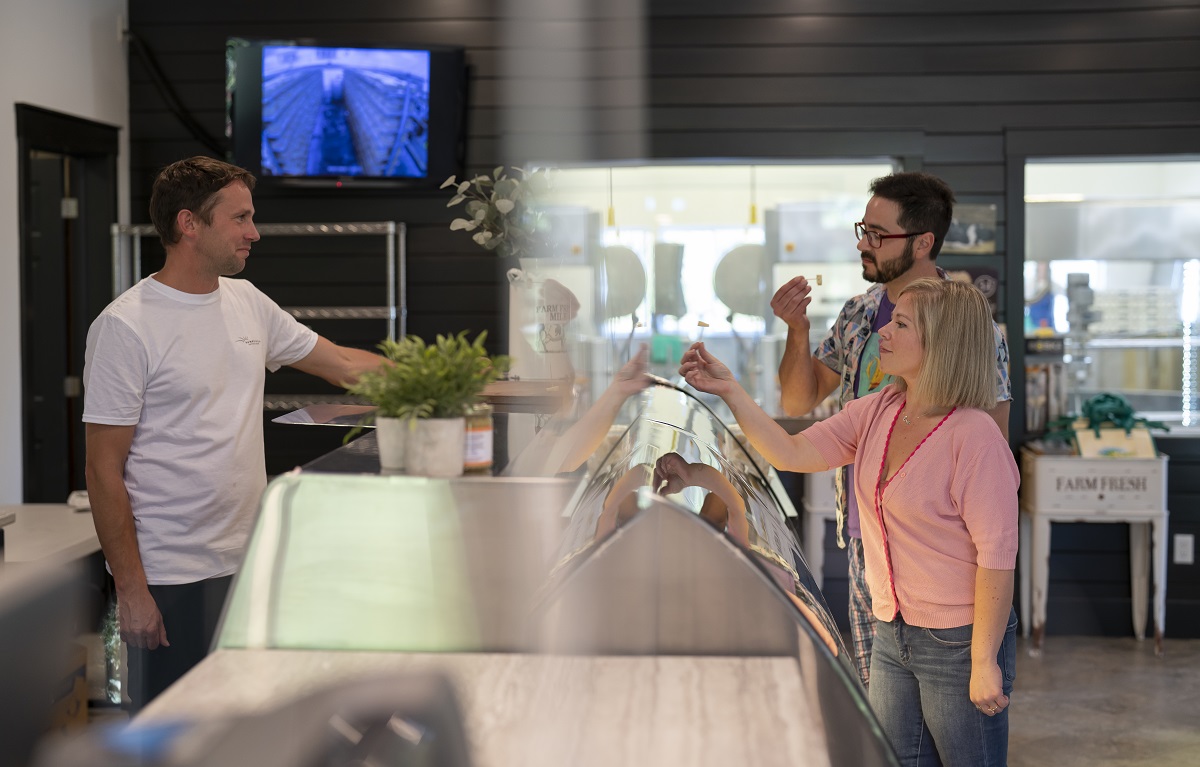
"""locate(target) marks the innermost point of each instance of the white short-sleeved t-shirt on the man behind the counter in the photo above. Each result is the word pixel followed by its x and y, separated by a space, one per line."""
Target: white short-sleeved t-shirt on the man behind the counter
pixel 189 370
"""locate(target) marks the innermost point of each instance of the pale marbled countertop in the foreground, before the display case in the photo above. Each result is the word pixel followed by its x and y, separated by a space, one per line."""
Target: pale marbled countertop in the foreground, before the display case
pixel 550 710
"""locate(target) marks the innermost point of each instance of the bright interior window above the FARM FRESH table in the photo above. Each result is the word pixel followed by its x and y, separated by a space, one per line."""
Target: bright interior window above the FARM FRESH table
pixel 1131 231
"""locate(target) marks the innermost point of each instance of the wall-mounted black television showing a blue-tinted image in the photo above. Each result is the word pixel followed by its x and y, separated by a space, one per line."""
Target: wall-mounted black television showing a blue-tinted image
pixel 302 113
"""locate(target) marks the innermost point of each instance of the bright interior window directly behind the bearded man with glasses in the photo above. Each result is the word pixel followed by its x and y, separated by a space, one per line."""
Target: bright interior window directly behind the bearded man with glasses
pixel 677 225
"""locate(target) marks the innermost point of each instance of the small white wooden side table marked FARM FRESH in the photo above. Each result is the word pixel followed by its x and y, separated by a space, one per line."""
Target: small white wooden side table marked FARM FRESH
pixel 1067 489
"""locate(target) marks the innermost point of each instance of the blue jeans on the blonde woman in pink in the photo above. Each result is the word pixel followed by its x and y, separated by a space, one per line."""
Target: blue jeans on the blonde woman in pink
pixel 921 692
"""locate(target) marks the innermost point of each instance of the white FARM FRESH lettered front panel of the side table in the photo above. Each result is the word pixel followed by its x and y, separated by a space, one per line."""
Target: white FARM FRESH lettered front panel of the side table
pixel 1055 482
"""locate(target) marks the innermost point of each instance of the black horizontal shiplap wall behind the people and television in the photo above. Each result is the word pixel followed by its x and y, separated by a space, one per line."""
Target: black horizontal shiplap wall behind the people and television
pixel 967 91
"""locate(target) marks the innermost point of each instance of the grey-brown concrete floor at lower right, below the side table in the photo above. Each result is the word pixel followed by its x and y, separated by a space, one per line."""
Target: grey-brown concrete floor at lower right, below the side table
pixel 1091 702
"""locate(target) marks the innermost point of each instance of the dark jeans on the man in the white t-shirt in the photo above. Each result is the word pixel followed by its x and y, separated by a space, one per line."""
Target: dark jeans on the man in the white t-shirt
pixel 190 614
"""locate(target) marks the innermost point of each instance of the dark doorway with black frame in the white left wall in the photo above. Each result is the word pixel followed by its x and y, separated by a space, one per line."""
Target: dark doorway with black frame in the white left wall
pixel 68 205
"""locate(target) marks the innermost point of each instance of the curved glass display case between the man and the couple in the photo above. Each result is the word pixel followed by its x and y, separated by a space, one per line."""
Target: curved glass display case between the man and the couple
pixel 674 547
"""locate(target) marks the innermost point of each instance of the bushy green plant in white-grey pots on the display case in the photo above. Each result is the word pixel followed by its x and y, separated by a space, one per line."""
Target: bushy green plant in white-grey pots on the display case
pixel 427 392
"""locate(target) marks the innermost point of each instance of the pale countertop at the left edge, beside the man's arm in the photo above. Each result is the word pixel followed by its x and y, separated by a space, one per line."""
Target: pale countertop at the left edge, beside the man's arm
pixel 47 531
